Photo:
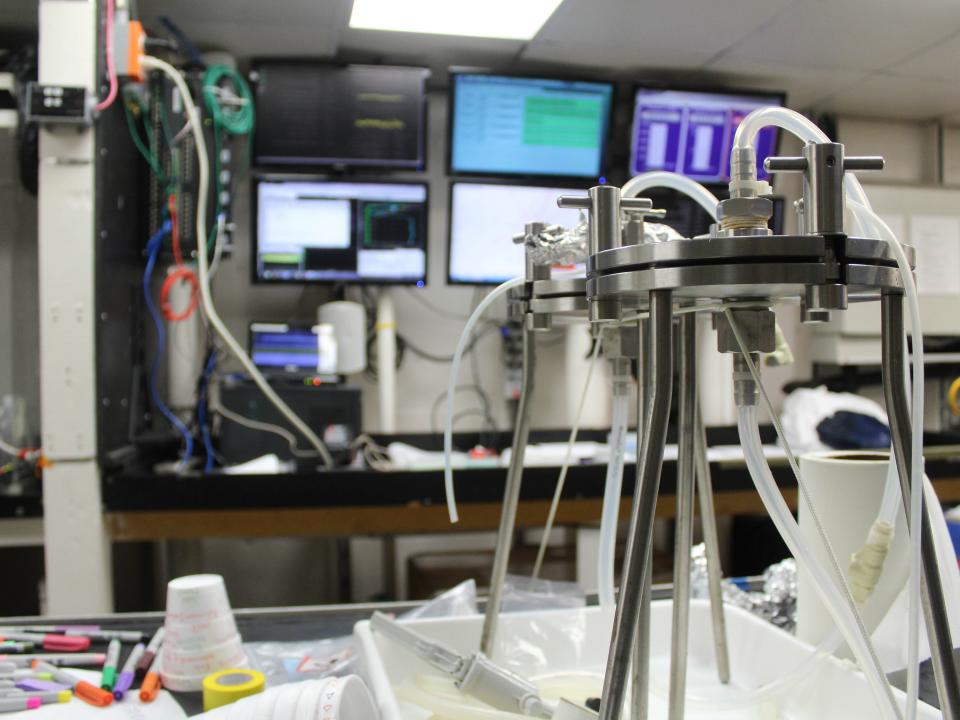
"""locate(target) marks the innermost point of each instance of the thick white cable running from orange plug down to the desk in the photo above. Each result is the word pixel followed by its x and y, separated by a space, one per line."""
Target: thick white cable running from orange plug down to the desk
pixel 206 296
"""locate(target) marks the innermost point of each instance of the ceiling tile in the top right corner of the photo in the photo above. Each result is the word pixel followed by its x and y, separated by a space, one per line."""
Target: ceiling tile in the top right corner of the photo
pixel 850 34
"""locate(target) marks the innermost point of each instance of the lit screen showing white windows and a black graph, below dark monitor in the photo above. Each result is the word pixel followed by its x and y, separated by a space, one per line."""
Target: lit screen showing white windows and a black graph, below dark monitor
pixel 321 230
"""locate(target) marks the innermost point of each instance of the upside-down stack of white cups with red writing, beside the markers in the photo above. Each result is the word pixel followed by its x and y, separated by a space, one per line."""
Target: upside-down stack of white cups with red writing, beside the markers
pixel 200 633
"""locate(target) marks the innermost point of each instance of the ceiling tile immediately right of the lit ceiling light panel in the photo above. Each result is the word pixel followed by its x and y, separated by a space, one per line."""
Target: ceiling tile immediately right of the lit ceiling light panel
pixel 627 34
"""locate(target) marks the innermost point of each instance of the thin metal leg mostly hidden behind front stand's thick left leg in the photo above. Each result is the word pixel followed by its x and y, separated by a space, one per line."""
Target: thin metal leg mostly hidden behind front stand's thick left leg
pixel 640 677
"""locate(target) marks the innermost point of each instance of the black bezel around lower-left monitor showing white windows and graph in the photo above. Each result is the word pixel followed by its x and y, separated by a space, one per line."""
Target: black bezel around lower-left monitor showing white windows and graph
pixel 259 177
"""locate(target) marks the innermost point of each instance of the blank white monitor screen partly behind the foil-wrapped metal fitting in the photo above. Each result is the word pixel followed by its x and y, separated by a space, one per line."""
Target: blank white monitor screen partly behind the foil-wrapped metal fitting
pixel 484 217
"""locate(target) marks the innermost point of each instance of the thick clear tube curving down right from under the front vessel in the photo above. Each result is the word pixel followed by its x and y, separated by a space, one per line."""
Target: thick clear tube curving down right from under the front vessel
pixel 790 531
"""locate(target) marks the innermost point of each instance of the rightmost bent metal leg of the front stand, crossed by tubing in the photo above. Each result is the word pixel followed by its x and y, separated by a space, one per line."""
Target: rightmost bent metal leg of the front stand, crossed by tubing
pixel 893 367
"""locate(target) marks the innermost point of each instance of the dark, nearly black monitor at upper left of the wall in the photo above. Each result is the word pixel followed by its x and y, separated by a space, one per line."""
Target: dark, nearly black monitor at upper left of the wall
pixel 309 113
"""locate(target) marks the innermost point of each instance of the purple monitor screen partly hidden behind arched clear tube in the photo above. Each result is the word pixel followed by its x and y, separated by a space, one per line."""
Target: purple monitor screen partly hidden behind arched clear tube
pixel 691 132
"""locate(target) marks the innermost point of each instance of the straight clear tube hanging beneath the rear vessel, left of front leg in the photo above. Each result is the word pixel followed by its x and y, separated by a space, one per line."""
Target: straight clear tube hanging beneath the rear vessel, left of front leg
pixel 611 495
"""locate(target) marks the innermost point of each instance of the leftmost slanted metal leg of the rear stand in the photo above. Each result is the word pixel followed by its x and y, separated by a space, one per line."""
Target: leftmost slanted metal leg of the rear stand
pixel 511 495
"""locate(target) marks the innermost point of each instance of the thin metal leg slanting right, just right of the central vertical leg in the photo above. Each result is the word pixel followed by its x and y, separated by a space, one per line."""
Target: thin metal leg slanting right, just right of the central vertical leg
pixel 711 542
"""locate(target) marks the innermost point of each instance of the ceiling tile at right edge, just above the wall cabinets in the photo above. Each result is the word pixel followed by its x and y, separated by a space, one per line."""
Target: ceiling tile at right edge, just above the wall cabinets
pixel 889 96
